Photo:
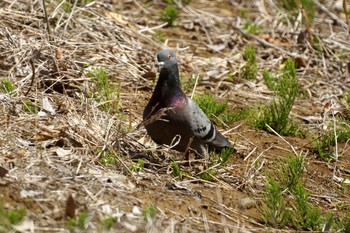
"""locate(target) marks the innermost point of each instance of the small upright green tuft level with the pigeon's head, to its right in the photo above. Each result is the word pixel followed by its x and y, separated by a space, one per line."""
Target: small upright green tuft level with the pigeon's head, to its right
pixel 249 70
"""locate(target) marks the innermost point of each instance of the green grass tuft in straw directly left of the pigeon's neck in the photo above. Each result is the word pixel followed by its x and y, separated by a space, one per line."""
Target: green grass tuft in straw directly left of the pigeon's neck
pixel 104 91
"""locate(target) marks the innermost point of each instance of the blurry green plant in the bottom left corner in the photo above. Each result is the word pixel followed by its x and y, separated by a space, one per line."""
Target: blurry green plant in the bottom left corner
pixel 10 217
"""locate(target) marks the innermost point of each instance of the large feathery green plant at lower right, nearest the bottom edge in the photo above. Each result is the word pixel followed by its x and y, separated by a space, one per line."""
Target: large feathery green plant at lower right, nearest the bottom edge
pixel 276 210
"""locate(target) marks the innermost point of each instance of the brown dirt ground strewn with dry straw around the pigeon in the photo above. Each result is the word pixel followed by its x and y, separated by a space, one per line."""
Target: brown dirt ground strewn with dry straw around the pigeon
pixel 52 156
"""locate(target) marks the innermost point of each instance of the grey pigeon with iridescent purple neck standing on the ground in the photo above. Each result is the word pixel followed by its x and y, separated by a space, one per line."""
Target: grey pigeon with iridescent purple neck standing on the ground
pixel 173 119
